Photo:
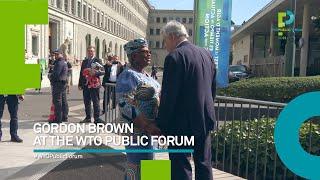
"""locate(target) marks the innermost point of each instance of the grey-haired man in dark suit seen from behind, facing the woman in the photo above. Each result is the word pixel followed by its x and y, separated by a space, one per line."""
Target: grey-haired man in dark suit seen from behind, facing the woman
pixel 187 101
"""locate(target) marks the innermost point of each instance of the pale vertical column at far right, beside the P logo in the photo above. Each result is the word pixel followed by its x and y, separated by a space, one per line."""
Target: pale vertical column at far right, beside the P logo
pixel 305 37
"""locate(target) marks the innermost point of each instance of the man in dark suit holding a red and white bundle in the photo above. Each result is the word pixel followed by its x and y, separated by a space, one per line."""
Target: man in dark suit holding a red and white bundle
pixel 91 94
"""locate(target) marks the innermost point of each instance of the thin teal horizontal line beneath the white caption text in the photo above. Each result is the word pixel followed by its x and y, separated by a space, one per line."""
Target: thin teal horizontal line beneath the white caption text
pixel 113 150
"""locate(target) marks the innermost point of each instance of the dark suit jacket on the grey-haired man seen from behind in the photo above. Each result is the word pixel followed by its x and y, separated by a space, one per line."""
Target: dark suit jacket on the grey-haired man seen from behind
pixel 188 92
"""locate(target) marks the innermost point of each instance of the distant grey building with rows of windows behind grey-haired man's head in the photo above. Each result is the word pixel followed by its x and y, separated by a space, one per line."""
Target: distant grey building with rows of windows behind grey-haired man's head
pixel 158 19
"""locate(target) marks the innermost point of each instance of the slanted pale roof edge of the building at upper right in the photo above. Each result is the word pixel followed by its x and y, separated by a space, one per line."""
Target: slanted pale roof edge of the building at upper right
pixel 265 10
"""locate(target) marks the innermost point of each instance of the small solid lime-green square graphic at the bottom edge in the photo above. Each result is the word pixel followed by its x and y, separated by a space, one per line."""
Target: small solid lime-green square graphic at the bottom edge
pixel 156 169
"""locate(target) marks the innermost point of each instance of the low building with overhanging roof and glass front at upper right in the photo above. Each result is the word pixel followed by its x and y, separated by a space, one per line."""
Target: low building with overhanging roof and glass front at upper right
pixel 261 44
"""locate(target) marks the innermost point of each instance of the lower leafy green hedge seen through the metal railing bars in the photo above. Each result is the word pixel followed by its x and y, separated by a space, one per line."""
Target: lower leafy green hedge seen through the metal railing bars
pixel 254 139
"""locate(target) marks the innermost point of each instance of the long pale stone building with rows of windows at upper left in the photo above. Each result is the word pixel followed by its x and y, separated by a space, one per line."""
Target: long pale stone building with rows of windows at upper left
pixel 105 24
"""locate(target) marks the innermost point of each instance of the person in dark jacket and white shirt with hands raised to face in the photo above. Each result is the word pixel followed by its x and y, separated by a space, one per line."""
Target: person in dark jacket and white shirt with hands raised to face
pixel 113 68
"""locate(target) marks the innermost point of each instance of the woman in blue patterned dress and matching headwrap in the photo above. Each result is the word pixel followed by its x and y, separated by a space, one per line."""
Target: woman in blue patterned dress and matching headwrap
pixel 138 99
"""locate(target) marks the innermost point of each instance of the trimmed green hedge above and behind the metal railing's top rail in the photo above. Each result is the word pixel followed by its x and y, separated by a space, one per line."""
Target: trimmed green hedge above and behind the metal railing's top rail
pixel 276 89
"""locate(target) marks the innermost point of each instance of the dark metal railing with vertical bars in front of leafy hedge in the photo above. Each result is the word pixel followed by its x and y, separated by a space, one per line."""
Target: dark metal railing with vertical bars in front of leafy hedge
pixel 243 142
